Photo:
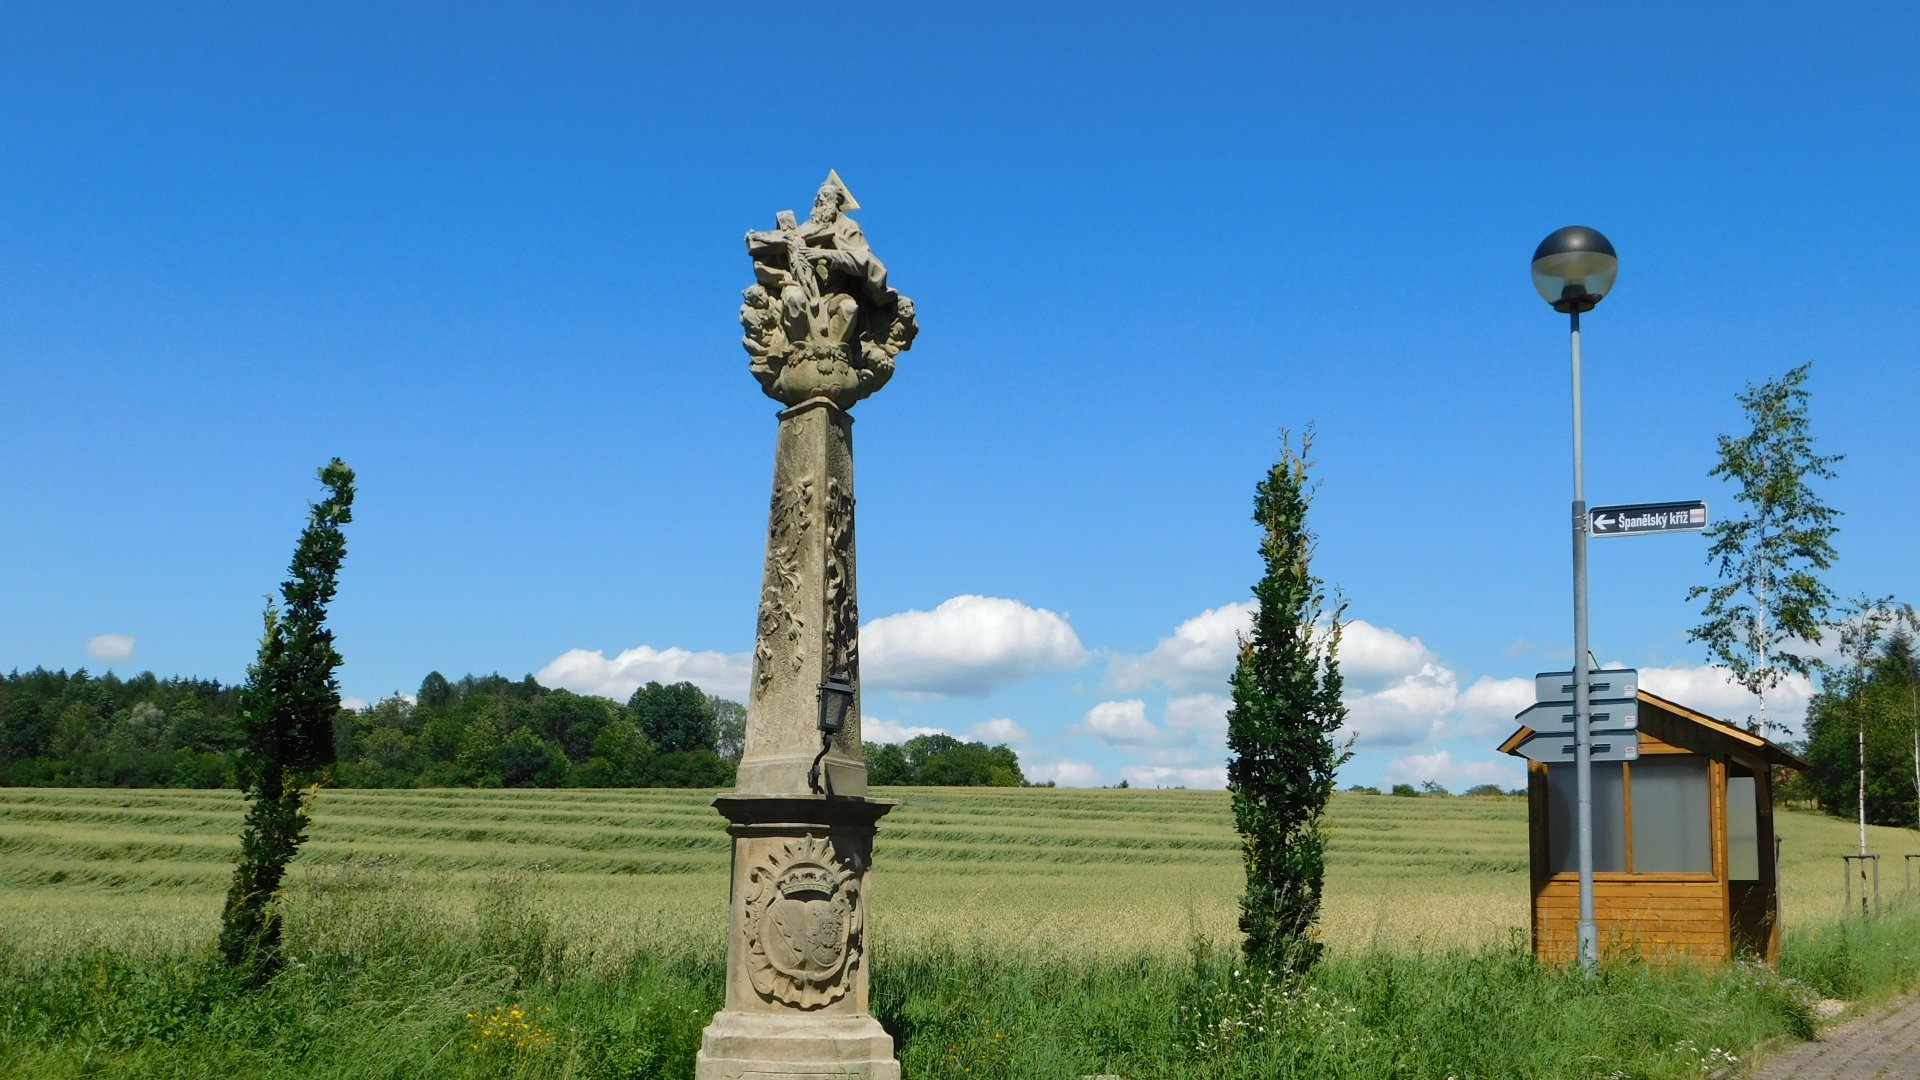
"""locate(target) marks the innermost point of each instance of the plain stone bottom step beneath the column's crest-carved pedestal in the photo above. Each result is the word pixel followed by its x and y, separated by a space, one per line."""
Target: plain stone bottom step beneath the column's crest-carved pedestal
pixel 775 1046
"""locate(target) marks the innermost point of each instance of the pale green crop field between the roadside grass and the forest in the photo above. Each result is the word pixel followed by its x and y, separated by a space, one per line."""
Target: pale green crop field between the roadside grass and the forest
pixel 1044 871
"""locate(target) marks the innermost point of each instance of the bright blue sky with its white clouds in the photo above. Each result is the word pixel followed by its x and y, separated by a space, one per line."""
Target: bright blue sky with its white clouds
pixel 491 257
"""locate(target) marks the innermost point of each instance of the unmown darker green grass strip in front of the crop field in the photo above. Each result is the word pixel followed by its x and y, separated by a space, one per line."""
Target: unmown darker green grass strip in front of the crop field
pixel 385 985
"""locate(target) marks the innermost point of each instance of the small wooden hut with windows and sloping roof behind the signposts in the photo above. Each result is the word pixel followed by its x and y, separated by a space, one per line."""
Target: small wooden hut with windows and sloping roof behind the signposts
pixel 1685 860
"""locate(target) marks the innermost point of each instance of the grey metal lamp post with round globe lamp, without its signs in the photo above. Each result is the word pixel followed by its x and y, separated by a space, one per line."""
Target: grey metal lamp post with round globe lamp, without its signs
pixel 1573 272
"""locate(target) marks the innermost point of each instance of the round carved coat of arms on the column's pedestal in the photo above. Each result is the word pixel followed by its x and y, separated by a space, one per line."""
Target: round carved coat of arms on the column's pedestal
pixel 804 923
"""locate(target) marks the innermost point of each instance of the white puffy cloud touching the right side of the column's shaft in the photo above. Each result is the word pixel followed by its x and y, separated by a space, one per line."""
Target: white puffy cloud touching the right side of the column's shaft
pixel 969 647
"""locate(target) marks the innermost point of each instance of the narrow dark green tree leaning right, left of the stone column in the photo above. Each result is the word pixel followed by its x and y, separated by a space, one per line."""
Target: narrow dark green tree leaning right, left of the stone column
pixel 287 712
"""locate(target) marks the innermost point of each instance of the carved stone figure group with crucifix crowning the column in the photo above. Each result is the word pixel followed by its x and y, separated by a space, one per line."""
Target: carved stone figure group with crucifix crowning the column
pixel 821 318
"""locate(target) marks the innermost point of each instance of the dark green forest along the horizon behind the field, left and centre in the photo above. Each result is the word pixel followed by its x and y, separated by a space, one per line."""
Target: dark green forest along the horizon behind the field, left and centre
pixel 76 729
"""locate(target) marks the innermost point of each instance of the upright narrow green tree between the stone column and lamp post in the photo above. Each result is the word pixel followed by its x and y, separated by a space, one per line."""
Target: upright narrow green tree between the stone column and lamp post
pixel 1282 727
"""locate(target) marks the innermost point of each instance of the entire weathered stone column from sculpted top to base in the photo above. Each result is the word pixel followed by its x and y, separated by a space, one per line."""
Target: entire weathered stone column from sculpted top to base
pixel 823 333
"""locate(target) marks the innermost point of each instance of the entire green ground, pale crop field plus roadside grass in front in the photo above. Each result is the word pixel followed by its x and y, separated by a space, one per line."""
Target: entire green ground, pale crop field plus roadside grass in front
pixel 1017 933
